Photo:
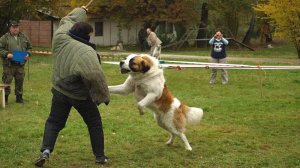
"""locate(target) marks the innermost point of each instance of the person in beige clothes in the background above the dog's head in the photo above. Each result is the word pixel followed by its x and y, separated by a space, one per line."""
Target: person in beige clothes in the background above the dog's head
pixel 154 42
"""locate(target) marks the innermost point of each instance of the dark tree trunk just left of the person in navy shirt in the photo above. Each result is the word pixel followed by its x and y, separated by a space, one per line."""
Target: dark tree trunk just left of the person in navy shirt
pixel 202 32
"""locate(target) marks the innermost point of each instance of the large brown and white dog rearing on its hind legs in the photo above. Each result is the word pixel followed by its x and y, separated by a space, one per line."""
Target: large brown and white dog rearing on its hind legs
pixel 147 82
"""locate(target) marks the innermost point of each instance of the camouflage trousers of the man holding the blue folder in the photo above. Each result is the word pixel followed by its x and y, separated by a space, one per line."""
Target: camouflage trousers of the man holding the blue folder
pixel 11 72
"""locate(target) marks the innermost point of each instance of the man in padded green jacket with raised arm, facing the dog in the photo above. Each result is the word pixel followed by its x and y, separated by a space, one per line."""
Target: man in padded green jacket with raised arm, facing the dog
pixel 78 81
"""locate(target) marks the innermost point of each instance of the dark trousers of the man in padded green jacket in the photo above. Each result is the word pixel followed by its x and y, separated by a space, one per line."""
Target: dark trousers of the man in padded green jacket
pixel 60 109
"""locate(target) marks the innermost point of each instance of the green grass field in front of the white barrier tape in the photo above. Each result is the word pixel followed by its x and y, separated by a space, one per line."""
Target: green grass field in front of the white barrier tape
pixel 254 121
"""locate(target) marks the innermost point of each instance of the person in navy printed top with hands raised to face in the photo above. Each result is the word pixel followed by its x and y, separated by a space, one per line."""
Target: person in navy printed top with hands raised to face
pixel 218 55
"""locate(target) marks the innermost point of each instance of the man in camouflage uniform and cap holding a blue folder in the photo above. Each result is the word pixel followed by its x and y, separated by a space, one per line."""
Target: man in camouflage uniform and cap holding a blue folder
pixel 14 40
